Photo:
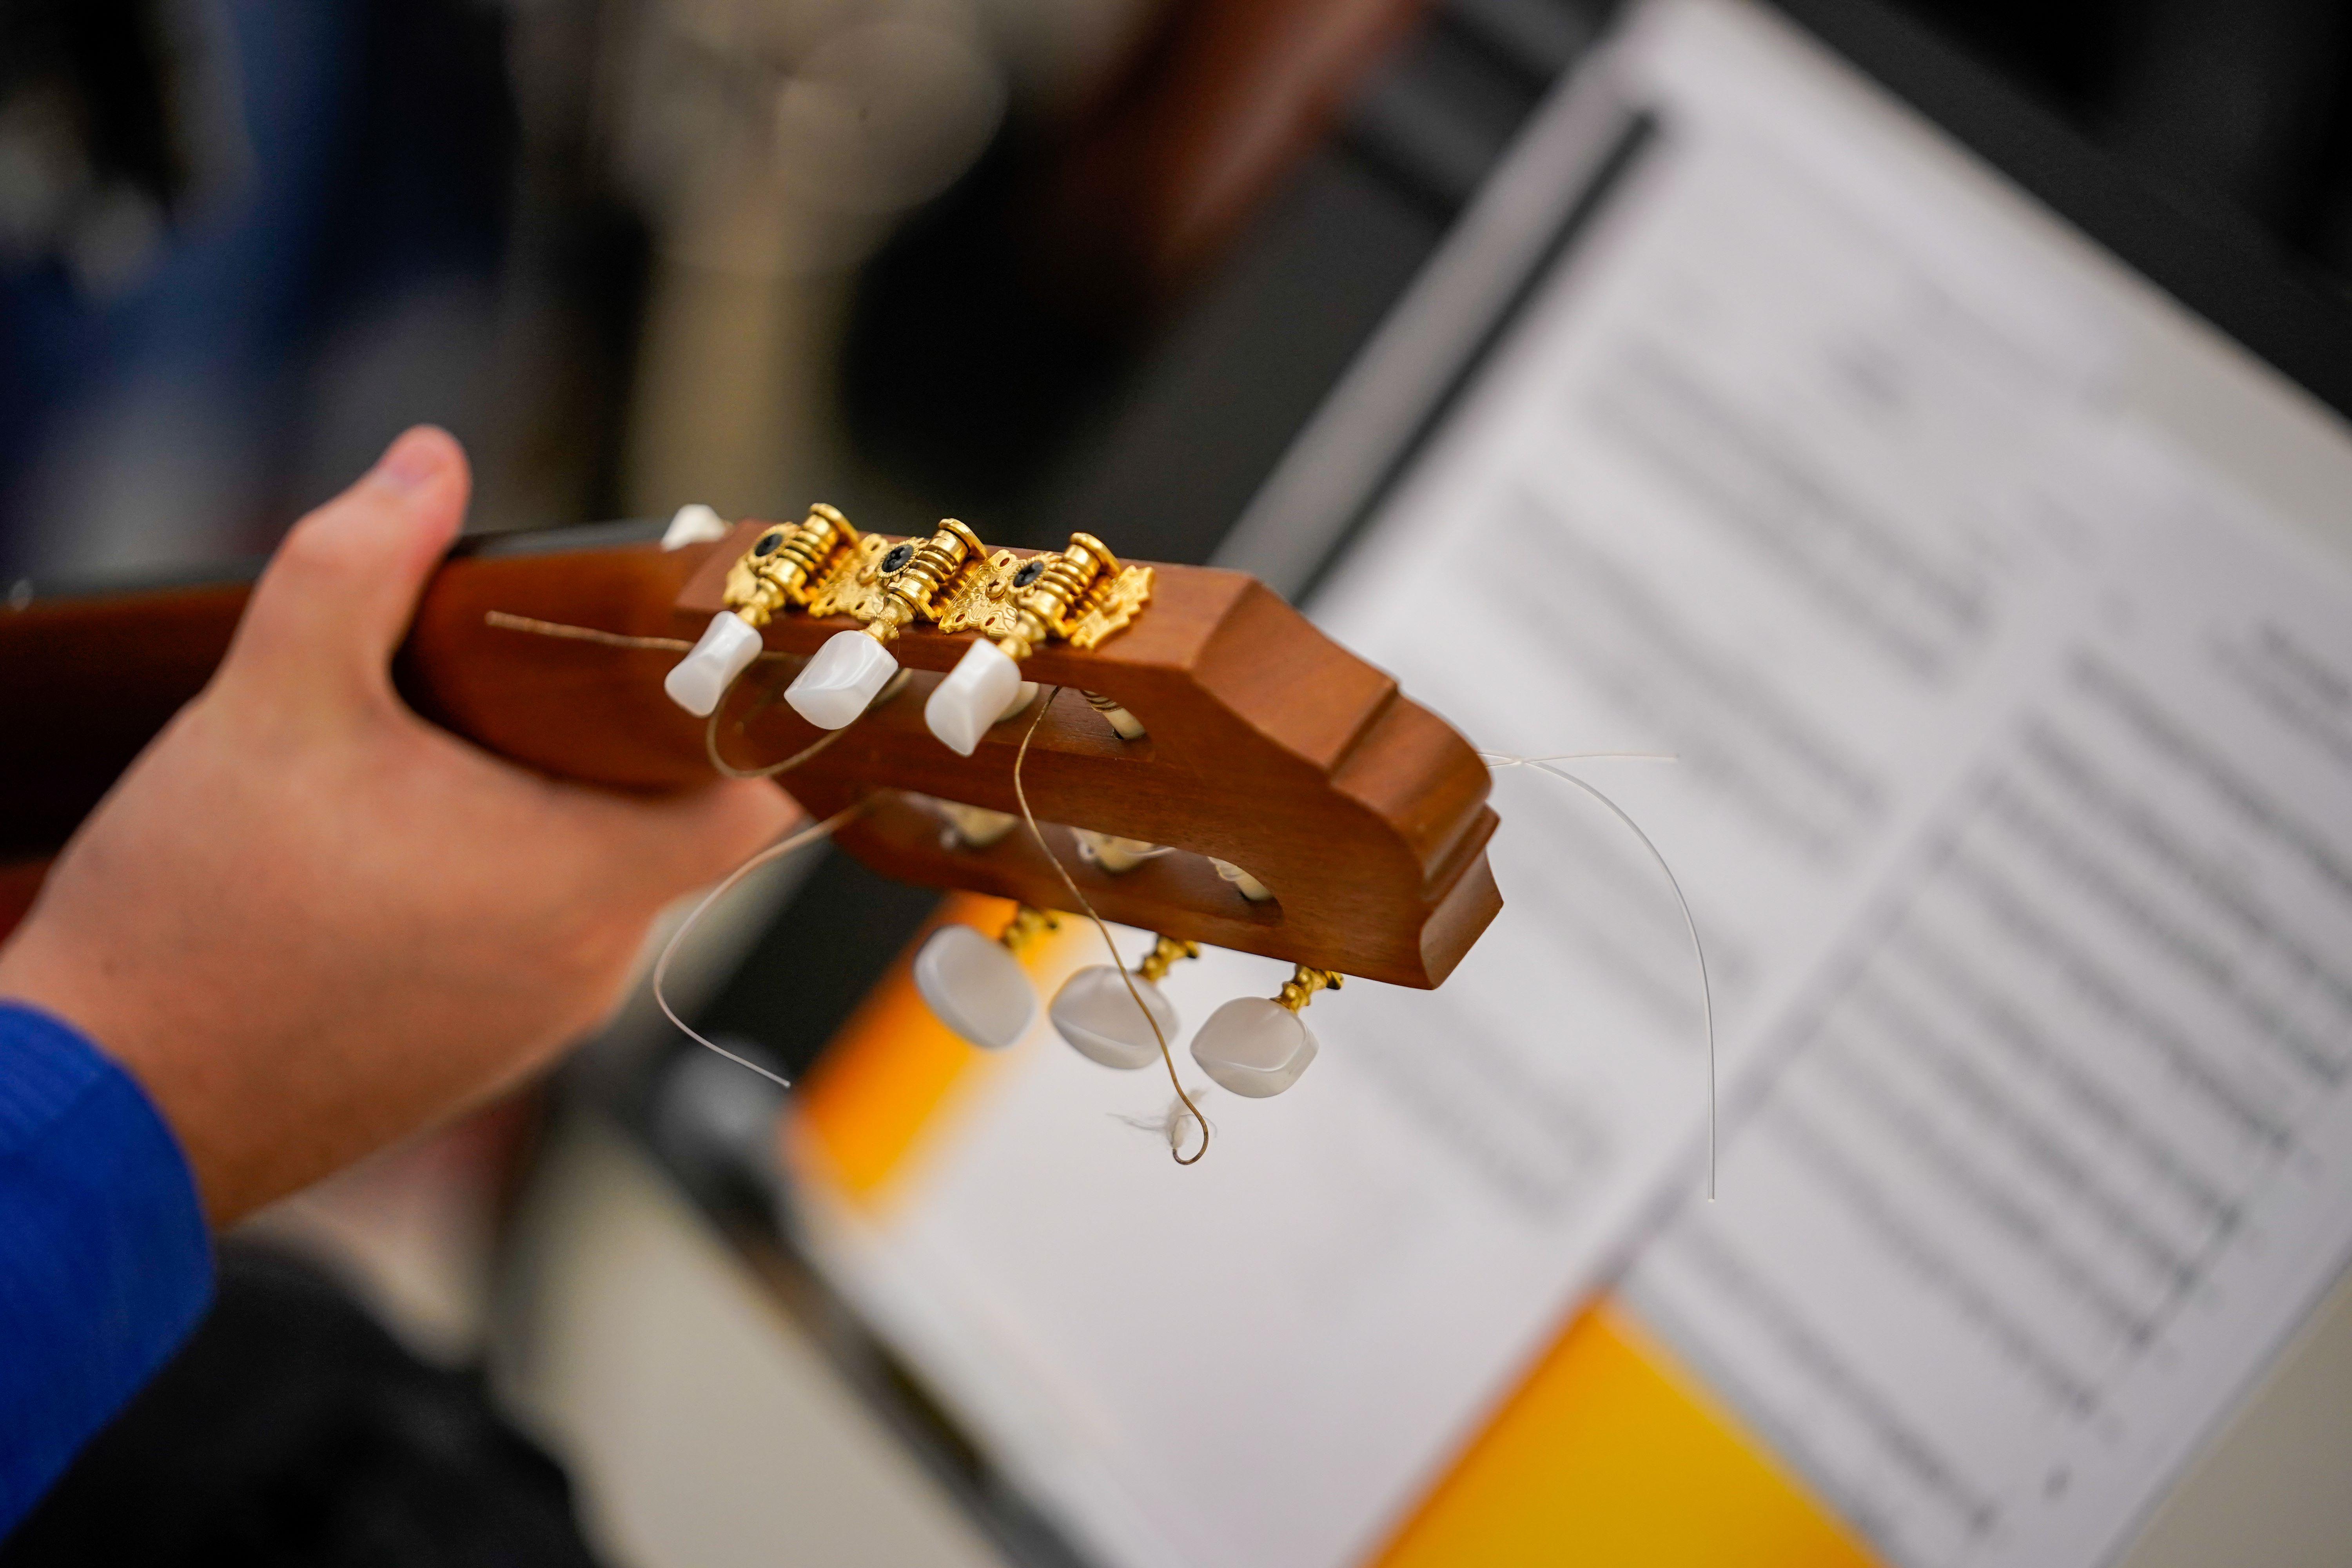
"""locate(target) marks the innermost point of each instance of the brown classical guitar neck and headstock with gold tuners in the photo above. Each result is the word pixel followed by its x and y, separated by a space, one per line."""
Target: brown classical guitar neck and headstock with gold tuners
pixel 1198 760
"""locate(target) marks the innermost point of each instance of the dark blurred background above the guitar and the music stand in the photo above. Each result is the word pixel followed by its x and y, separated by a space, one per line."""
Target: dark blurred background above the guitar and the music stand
pixel 916 255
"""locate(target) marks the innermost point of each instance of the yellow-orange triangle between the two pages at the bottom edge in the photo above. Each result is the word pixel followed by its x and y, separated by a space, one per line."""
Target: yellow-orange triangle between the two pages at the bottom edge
pixel 1612 1454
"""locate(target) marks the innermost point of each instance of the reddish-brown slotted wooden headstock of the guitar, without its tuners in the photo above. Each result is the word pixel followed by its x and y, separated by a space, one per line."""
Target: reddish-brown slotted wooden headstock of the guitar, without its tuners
pixel 1264 746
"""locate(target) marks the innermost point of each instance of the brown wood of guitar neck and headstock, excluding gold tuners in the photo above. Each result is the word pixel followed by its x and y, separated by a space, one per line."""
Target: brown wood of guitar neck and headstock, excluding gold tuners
pixel 1269 746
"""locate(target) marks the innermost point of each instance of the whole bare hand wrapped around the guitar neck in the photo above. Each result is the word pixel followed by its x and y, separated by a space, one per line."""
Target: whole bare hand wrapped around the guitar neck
pixel 312 923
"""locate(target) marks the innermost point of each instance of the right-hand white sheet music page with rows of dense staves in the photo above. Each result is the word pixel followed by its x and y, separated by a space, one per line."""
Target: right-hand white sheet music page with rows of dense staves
pixel 2064 1151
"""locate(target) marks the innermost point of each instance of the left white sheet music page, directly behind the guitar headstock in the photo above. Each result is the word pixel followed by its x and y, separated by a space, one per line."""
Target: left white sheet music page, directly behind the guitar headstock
pixel 1805 476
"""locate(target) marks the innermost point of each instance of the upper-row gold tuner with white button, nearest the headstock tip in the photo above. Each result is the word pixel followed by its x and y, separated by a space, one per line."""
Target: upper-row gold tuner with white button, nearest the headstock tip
pixel 1083 596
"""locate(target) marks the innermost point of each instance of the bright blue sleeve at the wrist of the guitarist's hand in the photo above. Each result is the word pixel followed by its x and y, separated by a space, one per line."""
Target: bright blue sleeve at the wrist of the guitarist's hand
pixel 105 1257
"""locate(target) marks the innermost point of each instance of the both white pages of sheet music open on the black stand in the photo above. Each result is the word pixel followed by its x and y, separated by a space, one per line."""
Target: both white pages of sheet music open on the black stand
pixel 1812 474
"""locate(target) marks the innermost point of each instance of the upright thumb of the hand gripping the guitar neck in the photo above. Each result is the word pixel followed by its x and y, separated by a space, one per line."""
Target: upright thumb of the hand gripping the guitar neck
pixel 342 589
